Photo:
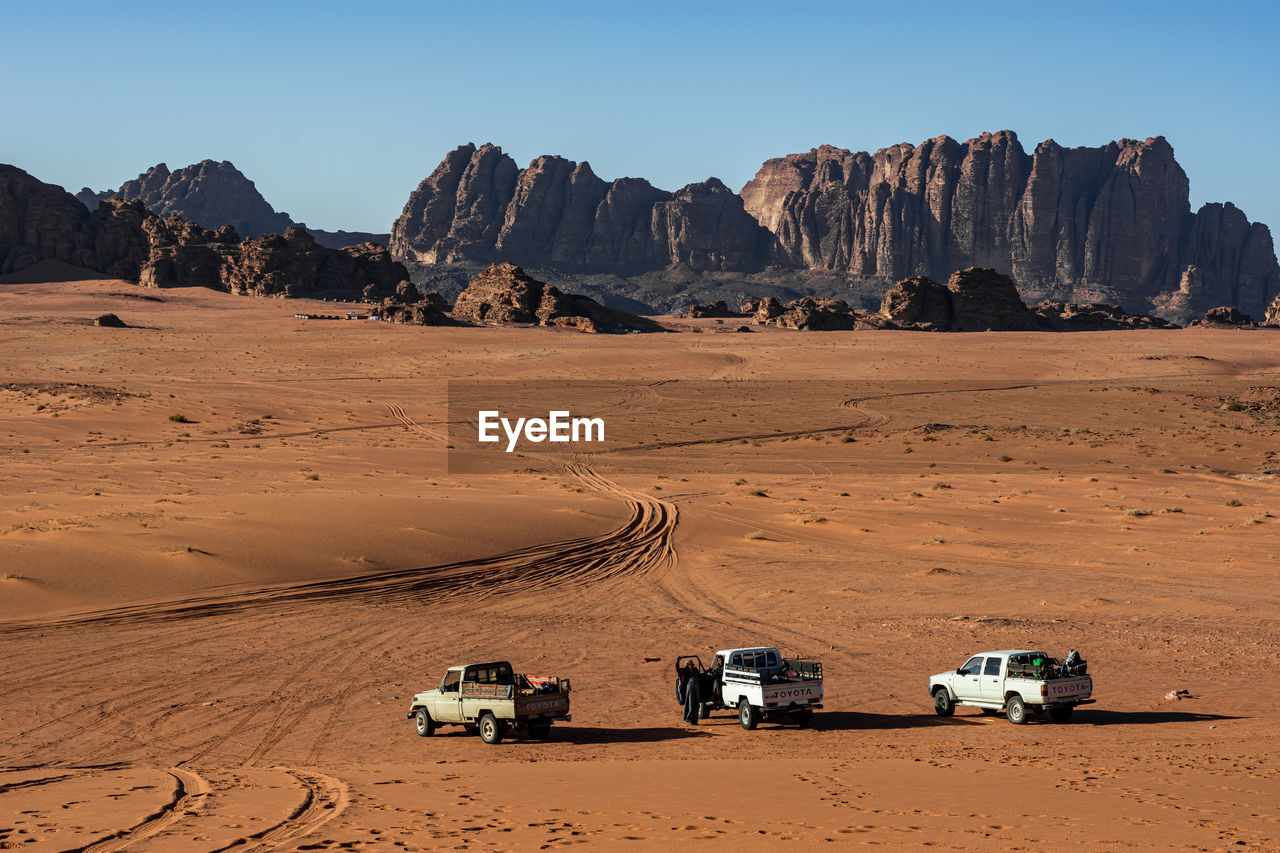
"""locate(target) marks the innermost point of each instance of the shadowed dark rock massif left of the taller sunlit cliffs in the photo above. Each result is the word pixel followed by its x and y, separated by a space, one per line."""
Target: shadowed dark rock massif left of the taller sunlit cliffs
pixel 479 207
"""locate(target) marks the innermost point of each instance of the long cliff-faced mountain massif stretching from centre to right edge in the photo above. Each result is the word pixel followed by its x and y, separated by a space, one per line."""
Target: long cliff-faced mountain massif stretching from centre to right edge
pixel 1089 225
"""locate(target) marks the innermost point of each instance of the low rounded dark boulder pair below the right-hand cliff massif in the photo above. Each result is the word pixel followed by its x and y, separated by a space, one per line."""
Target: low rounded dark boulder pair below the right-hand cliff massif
pixel 973 300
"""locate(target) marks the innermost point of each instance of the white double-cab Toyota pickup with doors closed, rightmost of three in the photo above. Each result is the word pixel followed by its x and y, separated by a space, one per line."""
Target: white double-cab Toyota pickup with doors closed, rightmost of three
pixel 1014 682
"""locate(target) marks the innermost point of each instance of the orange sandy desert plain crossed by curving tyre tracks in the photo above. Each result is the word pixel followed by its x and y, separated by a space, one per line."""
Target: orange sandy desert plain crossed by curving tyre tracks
pixel 232 550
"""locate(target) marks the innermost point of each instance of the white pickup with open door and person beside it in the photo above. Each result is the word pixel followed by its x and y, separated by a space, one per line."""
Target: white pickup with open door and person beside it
pixel 758 683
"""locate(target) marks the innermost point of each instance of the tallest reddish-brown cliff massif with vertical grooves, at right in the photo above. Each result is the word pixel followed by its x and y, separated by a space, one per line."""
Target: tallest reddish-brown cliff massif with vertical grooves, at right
pixel 1109 222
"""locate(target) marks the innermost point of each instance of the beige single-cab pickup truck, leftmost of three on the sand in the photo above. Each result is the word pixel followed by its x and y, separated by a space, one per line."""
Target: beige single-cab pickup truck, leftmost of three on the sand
pixel 492 699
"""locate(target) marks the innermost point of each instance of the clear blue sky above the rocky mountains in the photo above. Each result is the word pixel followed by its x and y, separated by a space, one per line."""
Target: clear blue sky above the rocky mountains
pixel 339 110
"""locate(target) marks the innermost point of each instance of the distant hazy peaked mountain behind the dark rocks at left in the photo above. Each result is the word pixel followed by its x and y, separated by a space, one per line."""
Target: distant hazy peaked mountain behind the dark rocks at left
pixel 209 194
